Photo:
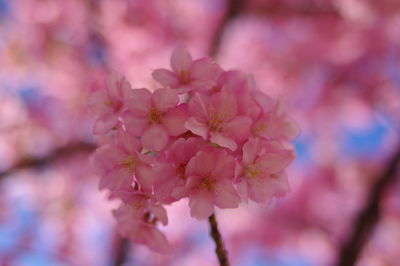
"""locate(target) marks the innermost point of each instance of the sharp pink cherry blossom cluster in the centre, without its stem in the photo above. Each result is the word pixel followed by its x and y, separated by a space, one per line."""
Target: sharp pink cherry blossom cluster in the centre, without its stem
pixel 208 135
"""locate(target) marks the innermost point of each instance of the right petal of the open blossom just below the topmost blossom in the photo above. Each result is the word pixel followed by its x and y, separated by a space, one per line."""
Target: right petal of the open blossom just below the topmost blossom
pixel 174 120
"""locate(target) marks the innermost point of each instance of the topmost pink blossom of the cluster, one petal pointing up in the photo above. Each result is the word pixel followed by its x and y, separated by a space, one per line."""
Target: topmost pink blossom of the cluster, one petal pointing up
pixel 188 74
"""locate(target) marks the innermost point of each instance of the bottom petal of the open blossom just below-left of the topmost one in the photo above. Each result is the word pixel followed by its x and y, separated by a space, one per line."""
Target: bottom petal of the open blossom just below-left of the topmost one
pixel 154 138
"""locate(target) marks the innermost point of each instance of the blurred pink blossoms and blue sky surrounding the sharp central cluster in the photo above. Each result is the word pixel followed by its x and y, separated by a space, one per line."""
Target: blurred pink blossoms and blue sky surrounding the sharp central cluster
pixel 336 64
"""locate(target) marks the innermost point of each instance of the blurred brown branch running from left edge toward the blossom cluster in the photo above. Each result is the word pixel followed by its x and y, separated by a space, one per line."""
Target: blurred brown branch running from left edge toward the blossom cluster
pixel 57 154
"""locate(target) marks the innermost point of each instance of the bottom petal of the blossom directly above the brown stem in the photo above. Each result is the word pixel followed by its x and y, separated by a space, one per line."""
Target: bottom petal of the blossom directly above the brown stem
pixel 200 204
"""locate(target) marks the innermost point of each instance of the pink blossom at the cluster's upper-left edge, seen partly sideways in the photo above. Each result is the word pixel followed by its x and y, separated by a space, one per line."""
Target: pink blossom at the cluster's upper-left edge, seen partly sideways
pixel 108 102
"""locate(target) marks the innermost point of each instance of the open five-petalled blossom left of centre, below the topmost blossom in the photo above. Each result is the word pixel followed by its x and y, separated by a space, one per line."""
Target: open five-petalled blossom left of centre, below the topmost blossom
pixel 154 117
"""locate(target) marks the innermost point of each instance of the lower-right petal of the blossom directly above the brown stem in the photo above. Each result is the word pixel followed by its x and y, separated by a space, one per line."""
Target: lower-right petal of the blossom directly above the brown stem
pixel 225 195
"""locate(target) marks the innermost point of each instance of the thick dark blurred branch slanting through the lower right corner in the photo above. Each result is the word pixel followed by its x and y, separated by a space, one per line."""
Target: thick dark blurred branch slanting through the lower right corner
pixel 369 215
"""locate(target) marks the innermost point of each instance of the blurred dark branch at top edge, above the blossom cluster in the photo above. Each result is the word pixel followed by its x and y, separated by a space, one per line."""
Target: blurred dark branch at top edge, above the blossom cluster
pixel 233 9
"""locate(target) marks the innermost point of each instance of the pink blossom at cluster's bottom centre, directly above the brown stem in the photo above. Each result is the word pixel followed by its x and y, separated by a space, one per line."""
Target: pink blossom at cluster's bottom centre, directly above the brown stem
pixel 209 183
